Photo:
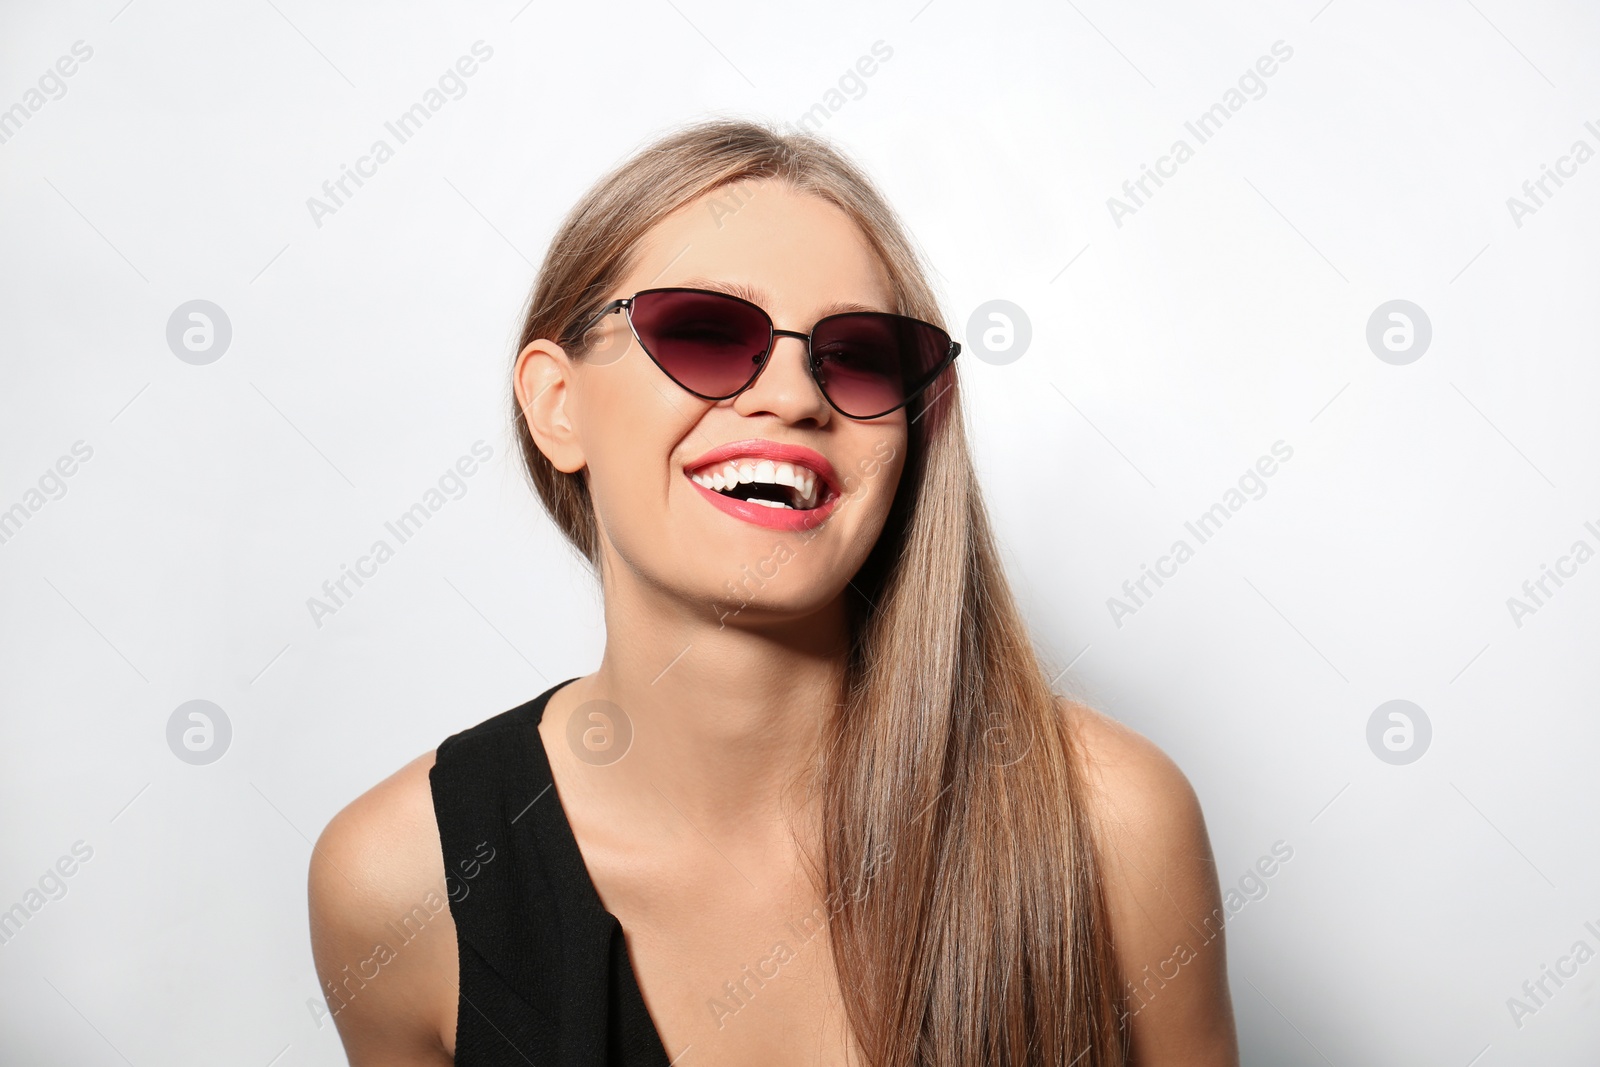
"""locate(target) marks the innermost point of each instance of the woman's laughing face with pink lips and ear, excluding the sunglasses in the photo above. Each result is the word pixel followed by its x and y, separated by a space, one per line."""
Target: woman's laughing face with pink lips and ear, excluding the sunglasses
pixel 655 455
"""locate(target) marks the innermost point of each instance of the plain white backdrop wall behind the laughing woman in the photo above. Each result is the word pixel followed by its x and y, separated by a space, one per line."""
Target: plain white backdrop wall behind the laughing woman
pixel 1175 338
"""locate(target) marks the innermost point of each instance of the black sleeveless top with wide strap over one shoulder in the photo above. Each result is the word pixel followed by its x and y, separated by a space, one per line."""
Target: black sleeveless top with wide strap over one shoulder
pixel 545 970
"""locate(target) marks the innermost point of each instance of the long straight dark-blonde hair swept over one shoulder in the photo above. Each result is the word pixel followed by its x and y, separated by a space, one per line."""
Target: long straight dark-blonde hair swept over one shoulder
pixel 958 860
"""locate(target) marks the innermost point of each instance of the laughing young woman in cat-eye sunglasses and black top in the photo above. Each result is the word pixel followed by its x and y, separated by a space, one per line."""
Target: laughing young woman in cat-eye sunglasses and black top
pixel 818 804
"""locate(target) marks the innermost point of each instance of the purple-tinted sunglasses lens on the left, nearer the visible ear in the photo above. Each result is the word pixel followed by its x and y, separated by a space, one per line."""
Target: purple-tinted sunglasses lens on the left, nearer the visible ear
pixel 708 343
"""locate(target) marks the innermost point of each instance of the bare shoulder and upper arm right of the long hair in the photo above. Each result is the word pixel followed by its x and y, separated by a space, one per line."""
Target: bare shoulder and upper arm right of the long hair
pixel 1162 895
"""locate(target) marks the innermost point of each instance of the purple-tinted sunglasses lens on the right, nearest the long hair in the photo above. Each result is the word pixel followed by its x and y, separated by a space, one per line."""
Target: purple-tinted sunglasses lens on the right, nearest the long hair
pixel 874 362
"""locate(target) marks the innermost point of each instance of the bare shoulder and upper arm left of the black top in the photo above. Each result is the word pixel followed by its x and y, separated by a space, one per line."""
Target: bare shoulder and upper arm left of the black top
pixel 380 922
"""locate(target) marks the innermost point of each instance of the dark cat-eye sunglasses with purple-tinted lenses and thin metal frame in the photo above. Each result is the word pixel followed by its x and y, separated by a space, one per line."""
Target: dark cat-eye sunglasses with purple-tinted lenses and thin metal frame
pixel 716 346
